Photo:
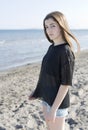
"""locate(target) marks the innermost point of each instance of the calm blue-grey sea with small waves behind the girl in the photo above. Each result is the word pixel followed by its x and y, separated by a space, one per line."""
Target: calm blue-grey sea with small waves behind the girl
pixel 21 47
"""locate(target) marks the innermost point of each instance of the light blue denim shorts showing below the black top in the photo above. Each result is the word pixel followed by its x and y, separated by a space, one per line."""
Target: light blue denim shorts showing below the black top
pixel 60 112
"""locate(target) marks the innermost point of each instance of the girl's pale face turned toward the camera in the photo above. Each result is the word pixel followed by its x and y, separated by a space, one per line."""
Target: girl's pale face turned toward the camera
pixel 53 30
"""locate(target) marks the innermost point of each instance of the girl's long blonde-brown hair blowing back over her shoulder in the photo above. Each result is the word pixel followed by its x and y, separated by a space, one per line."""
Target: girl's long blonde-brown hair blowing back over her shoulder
pixel 66 33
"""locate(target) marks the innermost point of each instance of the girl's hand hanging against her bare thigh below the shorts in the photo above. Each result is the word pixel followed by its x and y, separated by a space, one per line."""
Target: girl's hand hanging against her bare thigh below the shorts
pixel 50 116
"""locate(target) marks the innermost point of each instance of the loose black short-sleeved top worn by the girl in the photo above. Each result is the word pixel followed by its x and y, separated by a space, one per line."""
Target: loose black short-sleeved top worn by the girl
pixel 56 69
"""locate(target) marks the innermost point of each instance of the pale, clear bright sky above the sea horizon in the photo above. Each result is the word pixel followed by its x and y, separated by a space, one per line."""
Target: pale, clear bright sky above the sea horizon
pixel 29 14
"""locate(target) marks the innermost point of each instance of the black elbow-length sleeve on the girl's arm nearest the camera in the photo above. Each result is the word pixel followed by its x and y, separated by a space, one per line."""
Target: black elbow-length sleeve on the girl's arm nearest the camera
pixel 67 68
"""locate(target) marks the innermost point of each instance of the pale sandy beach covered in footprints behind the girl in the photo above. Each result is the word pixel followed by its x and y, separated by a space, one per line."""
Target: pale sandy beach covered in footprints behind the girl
pixel 18 113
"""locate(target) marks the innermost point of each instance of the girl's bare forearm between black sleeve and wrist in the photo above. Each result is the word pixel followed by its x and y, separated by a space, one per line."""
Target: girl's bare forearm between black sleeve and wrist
pixel 60 96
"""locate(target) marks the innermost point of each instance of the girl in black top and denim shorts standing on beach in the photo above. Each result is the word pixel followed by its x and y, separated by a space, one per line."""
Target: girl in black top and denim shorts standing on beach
pixel 56 71
